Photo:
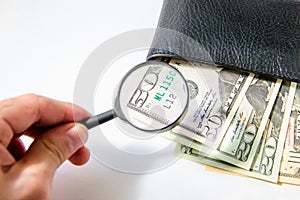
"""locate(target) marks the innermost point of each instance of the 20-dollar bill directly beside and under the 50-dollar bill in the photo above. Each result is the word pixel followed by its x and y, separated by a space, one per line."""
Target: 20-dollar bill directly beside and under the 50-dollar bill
pixel 248 123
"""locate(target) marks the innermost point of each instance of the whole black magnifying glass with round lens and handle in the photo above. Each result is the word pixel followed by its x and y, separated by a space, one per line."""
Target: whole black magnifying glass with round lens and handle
pixel 152 97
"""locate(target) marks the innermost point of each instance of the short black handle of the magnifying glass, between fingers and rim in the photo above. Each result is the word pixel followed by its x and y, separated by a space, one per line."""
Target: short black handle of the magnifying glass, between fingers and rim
pixel 96 120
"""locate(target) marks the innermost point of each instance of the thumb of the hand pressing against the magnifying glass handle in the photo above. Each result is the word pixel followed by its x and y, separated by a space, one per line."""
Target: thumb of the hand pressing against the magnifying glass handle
pixel 52 148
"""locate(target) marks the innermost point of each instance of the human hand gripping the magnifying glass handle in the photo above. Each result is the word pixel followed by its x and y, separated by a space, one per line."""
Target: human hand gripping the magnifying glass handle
pixel 29 174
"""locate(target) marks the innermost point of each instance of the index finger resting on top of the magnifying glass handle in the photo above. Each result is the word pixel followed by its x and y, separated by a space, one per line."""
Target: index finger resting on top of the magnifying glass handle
pixel 19 113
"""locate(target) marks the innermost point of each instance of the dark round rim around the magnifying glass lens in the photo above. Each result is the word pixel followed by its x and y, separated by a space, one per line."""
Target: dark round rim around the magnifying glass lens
pixel 117 107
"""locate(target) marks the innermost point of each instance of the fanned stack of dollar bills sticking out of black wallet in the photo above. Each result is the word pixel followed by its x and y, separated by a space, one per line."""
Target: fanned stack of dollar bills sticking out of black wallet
pixel 240 122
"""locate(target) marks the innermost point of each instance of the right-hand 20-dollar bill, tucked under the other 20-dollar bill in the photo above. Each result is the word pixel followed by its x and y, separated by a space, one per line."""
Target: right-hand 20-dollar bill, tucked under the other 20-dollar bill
pixel 267 160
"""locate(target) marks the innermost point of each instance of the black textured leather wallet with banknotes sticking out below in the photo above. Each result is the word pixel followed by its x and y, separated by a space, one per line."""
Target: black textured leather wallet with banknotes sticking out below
pixel 259 36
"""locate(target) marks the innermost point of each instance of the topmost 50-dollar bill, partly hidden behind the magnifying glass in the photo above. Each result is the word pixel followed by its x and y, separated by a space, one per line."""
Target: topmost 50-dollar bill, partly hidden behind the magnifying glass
pixel 212 94
